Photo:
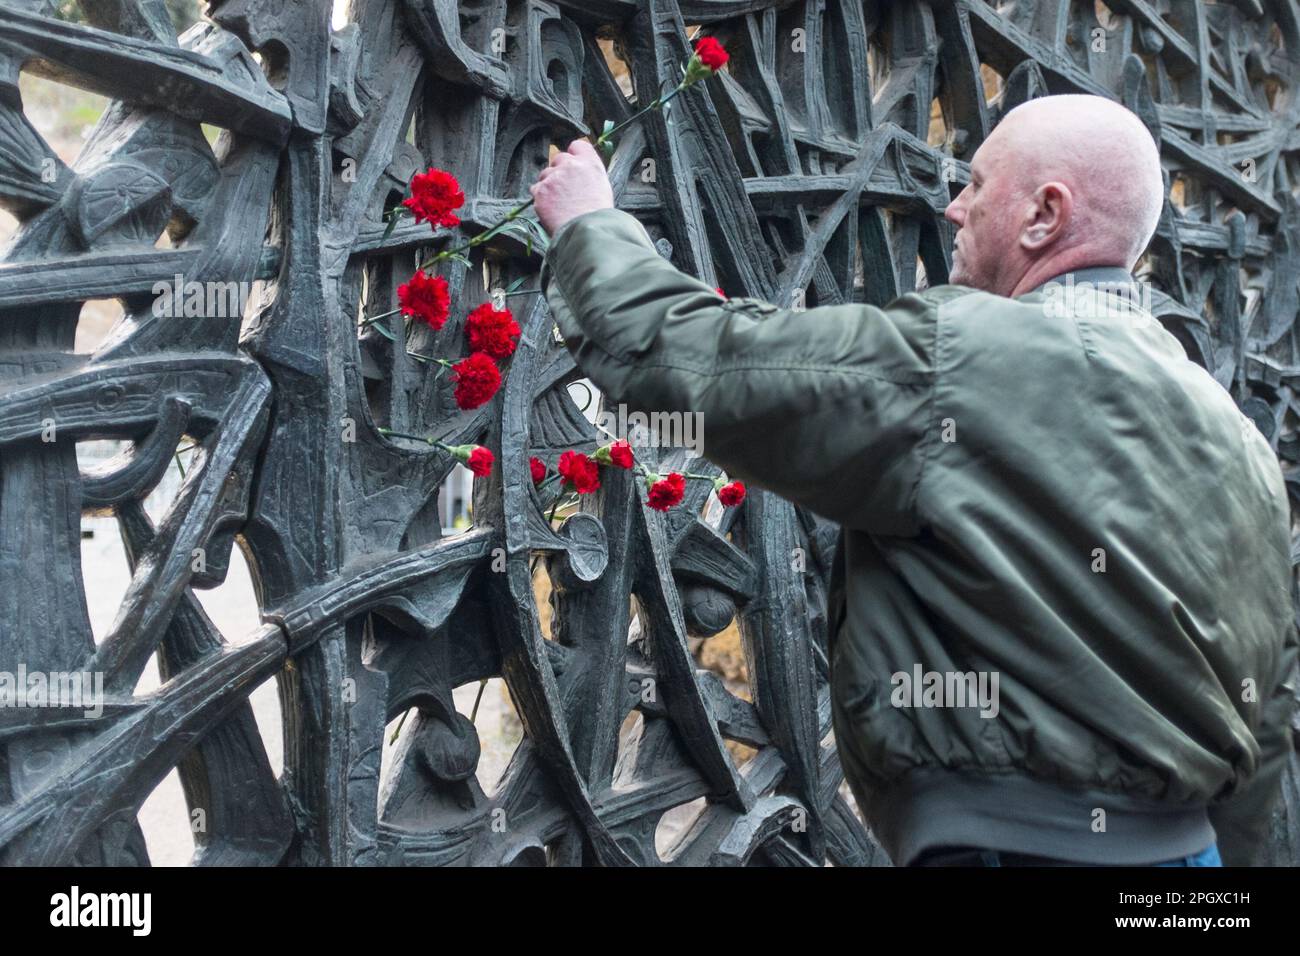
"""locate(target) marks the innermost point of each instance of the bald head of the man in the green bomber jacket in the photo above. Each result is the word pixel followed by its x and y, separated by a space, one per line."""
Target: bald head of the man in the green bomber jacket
pixel 1064 183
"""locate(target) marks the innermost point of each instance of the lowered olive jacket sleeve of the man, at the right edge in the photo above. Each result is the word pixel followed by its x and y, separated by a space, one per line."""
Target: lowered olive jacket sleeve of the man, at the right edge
pixel 1242 820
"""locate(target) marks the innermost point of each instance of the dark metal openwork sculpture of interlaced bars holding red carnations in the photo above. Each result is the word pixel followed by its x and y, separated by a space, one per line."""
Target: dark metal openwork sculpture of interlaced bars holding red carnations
pixel 814 171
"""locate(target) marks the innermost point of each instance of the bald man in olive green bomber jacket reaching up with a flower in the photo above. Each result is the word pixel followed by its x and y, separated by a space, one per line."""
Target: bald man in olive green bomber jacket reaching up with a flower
pixel 1061 620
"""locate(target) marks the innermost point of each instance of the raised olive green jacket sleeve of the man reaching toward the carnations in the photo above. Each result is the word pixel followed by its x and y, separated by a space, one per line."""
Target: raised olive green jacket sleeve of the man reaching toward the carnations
pixel 826 408
